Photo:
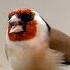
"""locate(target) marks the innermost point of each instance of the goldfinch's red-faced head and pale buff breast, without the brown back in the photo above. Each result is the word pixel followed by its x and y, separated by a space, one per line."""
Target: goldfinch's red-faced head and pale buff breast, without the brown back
pixel 27 40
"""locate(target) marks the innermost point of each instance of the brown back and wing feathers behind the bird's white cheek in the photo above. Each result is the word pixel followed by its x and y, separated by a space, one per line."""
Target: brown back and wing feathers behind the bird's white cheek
pixel 61 42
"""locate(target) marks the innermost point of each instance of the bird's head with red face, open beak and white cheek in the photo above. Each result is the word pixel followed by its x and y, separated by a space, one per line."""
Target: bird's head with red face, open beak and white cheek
pixel 26 24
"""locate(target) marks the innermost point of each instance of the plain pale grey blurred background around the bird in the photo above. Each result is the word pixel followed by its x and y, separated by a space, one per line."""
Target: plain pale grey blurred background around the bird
pixel 55 12
